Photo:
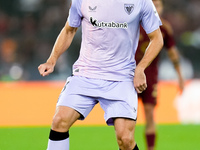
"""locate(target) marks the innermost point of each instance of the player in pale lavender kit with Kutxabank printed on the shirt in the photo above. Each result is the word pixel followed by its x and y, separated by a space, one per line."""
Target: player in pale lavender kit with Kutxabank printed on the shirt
pixel 105 71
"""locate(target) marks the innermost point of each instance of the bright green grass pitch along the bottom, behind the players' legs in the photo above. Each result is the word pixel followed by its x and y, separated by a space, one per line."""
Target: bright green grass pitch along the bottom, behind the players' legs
pixel 170 137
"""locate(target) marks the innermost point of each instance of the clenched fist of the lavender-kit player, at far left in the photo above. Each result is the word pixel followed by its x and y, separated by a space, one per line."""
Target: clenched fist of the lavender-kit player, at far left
pixel 45 69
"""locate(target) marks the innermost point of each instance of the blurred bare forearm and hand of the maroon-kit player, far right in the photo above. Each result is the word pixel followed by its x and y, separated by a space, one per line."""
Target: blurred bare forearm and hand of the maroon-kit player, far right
pixel 174 57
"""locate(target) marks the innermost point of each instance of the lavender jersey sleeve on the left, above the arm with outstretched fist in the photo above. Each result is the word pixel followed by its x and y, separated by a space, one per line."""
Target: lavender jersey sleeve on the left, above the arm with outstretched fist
pixel 75 15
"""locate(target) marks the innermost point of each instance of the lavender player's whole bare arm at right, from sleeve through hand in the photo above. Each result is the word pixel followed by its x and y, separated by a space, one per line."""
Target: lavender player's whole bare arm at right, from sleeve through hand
pixel 154 47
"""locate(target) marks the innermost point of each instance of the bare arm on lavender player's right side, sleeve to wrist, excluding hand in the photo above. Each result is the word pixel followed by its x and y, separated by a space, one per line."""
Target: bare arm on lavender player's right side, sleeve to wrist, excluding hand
pixel 154 47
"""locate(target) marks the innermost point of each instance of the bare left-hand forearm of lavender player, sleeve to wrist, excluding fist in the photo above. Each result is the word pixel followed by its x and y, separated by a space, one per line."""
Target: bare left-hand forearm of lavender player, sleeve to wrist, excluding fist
pixel 62 43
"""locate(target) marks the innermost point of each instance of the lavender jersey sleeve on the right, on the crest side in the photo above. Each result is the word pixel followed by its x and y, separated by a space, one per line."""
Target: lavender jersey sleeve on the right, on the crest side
pixel 150 19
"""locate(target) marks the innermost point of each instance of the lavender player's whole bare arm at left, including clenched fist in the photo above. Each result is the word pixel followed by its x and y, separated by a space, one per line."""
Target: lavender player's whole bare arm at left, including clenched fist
pixel 62 43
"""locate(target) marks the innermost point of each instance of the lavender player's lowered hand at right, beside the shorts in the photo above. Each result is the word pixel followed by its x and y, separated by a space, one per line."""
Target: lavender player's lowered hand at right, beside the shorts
pixel 140 81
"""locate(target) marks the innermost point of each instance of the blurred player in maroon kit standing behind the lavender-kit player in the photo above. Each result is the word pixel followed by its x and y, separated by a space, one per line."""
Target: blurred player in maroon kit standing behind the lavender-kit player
pixel 150 94
